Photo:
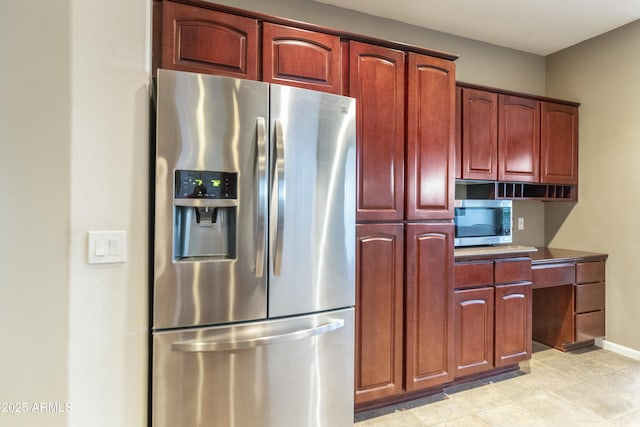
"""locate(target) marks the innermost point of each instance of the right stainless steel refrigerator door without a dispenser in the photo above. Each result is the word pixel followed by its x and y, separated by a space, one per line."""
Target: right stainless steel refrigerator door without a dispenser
pixel 312 207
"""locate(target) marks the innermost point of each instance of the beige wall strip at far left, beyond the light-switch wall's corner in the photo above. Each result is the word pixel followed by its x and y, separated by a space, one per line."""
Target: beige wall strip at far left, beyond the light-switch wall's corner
pixel 35 130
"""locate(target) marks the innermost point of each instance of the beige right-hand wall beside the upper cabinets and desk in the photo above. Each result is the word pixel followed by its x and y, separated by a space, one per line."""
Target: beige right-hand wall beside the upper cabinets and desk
pixel 603 74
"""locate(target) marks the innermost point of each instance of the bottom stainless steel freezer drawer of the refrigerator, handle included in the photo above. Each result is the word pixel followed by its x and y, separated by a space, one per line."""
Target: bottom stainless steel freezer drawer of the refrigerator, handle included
pixel 279 373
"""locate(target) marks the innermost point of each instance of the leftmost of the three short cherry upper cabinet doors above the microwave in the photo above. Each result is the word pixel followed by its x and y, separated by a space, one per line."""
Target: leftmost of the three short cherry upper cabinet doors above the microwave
pixel 479 134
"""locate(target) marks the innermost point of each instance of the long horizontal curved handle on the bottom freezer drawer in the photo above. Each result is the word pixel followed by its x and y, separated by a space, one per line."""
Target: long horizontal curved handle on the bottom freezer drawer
pixel 199 346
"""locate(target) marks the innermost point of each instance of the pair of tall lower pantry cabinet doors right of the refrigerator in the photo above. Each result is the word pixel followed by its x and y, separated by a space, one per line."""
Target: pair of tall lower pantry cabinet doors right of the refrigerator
pixel 404 327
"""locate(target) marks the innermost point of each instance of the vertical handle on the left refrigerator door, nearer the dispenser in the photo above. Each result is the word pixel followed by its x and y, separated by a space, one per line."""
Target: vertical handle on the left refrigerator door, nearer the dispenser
pixel 261 181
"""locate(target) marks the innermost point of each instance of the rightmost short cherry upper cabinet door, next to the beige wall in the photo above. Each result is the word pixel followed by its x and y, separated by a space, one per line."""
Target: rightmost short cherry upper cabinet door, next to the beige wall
pixel 559 144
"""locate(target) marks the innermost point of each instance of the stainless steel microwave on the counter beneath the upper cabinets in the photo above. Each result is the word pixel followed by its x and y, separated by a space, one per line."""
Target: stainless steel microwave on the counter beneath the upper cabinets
pixel 483 222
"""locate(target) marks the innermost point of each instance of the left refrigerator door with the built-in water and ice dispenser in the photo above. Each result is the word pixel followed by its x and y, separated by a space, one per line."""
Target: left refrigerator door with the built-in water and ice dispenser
pixel 210 254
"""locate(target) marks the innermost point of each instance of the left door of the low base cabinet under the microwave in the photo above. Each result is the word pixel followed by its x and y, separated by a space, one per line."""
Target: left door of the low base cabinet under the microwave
pixel 473 346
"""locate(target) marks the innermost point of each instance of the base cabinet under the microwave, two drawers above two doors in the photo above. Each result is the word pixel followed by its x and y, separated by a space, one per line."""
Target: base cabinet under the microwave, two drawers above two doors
pixel 492 315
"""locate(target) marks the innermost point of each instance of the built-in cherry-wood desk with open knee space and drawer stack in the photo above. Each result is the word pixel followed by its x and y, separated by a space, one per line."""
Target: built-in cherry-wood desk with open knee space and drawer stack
pixel 568 309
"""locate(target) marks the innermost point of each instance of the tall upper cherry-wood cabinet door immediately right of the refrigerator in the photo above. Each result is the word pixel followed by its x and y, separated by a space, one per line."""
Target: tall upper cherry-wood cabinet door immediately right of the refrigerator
pixel 377 81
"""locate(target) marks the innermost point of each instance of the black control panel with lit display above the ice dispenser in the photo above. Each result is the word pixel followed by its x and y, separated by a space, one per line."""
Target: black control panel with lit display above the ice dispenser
pixel 206 185
